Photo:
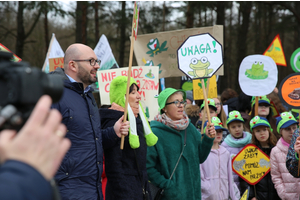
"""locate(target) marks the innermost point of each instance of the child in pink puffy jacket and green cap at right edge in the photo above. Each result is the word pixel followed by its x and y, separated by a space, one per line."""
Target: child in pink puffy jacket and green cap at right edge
pixel 288 187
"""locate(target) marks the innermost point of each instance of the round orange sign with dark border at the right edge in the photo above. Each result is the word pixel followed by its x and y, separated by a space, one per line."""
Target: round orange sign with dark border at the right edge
pixel 289 91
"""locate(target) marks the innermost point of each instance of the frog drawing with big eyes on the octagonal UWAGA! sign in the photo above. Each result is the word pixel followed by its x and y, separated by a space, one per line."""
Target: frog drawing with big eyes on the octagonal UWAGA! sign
pixel 200 67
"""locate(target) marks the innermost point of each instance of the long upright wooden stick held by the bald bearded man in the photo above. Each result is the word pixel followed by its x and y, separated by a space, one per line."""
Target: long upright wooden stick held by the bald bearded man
pixel 133 37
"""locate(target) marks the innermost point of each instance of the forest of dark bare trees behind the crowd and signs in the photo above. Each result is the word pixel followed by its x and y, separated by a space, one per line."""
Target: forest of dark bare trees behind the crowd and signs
pixel 249 28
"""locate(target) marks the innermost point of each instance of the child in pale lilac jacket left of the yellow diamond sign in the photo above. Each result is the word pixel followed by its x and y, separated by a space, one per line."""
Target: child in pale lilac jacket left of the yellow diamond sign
pixel 216 172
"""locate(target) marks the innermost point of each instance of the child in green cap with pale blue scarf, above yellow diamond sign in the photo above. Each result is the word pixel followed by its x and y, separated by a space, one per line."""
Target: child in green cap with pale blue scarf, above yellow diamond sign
pixel 236 140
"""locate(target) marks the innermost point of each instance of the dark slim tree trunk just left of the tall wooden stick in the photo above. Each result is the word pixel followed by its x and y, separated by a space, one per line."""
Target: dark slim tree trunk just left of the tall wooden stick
pixel 122 34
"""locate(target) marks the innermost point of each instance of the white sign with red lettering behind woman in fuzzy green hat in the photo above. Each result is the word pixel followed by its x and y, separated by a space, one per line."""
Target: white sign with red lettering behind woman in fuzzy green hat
pixel 147 79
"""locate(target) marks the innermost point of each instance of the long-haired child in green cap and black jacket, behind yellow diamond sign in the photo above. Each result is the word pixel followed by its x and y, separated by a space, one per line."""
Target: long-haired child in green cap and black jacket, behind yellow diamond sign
pixel 263 138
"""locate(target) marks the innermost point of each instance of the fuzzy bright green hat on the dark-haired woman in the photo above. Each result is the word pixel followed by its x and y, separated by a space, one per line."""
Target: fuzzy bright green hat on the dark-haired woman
pixel 118 88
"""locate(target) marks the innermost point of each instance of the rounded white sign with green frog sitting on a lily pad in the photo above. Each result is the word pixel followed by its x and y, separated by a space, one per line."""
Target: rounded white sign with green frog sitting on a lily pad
pixel 258 75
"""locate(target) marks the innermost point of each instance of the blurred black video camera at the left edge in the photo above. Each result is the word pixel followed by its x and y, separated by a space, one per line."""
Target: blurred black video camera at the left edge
pixel 21 86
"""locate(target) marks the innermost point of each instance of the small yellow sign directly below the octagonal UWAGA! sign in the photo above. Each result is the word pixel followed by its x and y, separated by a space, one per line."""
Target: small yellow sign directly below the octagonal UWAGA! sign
pixel 198 91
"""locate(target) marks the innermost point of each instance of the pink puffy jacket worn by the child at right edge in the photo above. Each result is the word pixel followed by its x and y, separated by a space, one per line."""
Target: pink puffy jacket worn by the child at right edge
pixel 288 187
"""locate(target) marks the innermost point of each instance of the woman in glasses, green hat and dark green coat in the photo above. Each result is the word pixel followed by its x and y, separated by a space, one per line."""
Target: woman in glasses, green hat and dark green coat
pixel 173 129
